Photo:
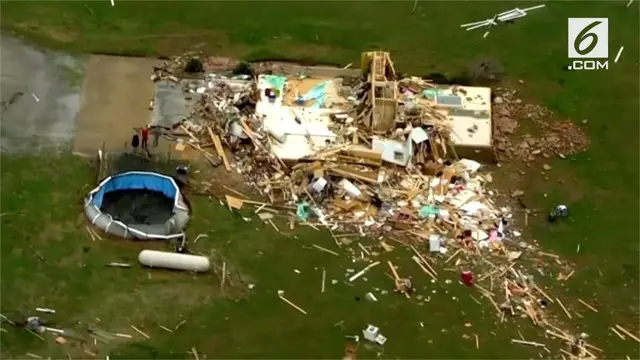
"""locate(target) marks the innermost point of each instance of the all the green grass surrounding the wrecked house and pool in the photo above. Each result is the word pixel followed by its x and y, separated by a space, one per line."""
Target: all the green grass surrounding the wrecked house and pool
pixel 41 196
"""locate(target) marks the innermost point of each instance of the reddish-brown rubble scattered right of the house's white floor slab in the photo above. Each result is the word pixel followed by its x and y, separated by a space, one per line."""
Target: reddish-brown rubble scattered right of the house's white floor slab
pixel 556 138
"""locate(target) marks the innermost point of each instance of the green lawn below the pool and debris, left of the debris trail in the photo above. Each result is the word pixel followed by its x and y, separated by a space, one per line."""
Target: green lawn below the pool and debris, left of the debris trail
pixel 42 217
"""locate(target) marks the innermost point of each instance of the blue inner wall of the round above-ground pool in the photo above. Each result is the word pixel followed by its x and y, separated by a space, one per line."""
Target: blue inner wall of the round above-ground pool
pixel 136 181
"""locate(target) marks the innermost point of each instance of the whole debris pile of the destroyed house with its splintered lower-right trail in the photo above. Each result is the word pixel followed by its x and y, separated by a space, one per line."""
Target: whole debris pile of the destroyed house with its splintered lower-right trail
pixel 374 159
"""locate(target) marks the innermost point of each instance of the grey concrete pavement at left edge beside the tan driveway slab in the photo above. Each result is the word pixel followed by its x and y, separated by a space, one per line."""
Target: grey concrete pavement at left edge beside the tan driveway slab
pixel 40 97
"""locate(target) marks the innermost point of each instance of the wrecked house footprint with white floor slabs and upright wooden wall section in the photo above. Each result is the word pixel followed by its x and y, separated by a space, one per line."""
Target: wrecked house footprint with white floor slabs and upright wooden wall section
pixel 408 121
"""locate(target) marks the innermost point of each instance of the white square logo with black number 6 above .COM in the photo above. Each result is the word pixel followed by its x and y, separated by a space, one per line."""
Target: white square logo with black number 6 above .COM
pixel 588 38
